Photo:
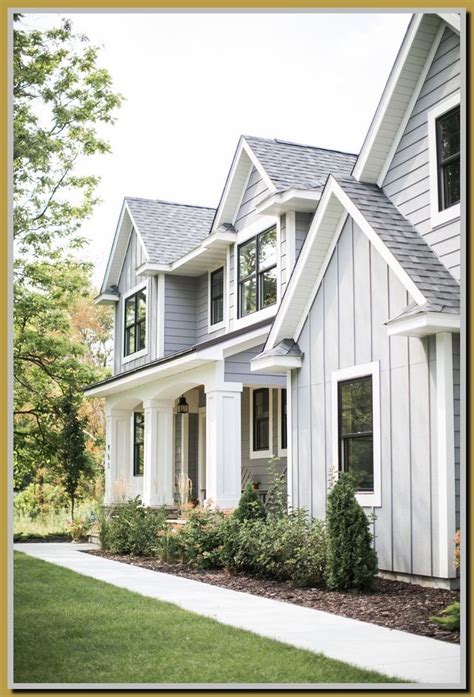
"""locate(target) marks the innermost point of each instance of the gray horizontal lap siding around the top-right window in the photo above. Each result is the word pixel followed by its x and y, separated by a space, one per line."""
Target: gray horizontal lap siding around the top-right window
pixel 407 182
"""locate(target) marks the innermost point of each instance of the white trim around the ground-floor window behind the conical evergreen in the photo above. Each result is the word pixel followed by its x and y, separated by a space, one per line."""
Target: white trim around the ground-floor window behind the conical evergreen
pixel 357 371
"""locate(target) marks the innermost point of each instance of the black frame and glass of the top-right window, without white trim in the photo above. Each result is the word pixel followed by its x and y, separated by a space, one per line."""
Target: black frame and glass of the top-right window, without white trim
pixel 449 158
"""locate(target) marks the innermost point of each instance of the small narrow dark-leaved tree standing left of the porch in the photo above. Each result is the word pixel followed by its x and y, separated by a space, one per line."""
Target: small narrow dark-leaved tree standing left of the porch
pixel 75 462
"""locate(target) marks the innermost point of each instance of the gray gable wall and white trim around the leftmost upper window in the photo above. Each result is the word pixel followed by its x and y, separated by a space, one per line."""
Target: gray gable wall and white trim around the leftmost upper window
pixel 128 280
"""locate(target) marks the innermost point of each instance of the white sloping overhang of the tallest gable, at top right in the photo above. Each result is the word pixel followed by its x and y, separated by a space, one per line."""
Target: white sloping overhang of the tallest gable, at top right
pixel 400 93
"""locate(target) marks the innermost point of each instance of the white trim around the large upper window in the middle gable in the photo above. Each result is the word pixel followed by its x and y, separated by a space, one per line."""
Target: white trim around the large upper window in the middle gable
pixel 265 312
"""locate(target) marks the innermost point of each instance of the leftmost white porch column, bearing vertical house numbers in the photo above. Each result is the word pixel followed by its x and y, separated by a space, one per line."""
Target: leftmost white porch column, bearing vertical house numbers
pixel 117 452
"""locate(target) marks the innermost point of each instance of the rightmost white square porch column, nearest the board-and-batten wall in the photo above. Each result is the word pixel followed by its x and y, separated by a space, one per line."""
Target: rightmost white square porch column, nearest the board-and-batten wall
pixel 223 445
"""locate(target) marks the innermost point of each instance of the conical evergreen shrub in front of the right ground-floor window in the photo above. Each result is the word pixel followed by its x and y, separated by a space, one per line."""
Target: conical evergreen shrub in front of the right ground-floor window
pixel 351 559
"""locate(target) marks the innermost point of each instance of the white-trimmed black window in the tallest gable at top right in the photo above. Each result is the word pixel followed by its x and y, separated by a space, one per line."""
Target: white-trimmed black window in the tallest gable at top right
pixel 444 139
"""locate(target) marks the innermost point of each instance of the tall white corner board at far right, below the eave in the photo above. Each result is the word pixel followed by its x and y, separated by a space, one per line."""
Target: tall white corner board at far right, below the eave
pixel 446 461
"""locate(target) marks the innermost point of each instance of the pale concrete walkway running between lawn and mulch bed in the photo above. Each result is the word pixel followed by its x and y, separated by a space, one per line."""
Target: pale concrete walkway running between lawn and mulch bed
pixel 407 656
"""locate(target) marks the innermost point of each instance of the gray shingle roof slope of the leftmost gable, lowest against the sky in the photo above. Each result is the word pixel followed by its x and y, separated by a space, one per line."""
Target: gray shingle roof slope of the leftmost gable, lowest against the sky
pixel 169 230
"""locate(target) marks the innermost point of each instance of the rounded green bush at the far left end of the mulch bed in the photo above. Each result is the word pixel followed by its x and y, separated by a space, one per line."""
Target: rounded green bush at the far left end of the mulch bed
pixel 133 529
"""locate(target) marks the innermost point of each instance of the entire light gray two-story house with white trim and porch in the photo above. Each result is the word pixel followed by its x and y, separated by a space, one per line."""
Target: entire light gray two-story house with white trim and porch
pixel 314 316
